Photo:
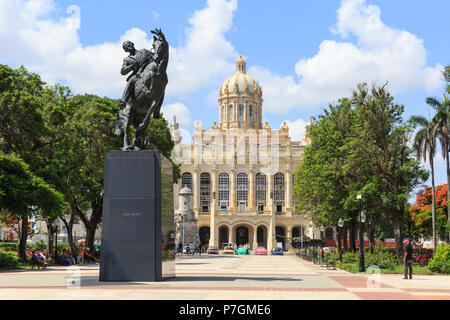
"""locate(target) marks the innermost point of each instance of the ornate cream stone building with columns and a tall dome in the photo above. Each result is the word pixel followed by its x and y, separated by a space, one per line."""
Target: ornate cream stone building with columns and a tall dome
pixel 241 172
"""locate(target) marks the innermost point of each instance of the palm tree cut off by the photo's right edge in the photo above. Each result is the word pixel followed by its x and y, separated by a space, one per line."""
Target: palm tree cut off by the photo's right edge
pixel 442 123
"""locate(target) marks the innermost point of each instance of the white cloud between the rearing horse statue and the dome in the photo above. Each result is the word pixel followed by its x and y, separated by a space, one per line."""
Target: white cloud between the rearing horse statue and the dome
pixel 205 57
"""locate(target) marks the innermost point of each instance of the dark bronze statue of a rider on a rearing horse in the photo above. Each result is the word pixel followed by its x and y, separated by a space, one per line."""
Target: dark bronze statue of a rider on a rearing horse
pixel 144 92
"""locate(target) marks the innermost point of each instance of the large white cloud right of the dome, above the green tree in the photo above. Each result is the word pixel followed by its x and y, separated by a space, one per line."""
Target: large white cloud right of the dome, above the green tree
pixel 381 54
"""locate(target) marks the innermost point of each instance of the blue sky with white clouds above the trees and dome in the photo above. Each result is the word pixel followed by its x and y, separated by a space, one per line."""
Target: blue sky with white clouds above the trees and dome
pixel 305 54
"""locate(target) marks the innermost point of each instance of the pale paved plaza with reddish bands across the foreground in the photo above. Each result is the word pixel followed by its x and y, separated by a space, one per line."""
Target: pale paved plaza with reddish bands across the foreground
pixel 220 277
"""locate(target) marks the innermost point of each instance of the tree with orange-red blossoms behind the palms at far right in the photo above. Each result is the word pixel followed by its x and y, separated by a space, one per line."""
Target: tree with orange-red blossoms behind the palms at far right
pixel 421 211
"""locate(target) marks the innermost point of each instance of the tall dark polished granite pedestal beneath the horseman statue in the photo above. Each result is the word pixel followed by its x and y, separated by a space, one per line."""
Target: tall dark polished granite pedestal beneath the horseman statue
pixel 133 247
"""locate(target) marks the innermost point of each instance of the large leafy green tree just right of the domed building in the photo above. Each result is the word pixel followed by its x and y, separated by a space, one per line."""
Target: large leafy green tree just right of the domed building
pixel 359 147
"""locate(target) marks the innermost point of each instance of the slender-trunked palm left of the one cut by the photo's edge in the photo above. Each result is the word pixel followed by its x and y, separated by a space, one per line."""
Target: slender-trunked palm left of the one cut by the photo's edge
pixel 425 144
